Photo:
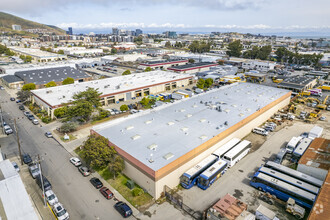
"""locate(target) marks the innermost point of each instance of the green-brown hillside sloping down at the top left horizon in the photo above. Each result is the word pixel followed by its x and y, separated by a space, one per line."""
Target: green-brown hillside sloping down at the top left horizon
pixel 7 20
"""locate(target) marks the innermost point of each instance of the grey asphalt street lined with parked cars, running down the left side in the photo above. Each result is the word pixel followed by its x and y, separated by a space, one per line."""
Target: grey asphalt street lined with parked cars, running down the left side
pixel 74 191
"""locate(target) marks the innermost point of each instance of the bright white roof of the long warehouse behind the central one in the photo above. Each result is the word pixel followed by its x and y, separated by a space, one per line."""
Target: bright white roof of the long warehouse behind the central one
pixel 63 94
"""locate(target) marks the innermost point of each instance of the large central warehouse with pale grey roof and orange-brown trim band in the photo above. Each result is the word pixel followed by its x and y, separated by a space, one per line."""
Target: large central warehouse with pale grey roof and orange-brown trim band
pixel 159 145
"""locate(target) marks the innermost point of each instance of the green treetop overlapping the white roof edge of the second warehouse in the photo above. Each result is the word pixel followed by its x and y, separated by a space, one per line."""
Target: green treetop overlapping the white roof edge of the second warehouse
pixel 90 95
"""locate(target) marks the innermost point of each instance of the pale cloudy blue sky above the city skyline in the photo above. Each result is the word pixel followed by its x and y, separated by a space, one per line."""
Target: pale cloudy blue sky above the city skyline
pixel 246 16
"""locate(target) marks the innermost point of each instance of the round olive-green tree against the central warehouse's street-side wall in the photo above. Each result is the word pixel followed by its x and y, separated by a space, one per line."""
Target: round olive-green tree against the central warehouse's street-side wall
pixel 96 151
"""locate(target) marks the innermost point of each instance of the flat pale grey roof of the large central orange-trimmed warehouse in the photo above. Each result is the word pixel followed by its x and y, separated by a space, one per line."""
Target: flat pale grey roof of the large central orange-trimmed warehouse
pixel 184 125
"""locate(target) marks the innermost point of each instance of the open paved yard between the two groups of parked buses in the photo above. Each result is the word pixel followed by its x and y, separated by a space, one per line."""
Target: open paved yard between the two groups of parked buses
pixel 236 180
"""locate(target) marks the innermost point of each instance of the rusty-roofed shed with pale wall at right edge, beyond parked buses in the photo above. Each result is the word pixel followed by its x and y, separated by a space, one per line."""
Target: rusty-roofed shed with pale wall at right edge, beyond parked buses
pixel 315 161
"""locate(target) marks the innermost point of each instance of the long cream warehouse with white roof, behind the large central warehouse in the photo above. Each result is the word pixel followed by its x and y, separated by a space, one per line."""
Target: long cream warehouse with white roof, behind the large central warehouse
pixel 114 90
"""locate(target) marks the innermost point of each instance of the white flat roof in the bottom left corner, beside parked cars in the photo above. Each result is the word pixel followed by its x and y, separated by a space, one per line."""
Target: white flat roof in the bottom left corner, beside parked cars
pixel 13 196
